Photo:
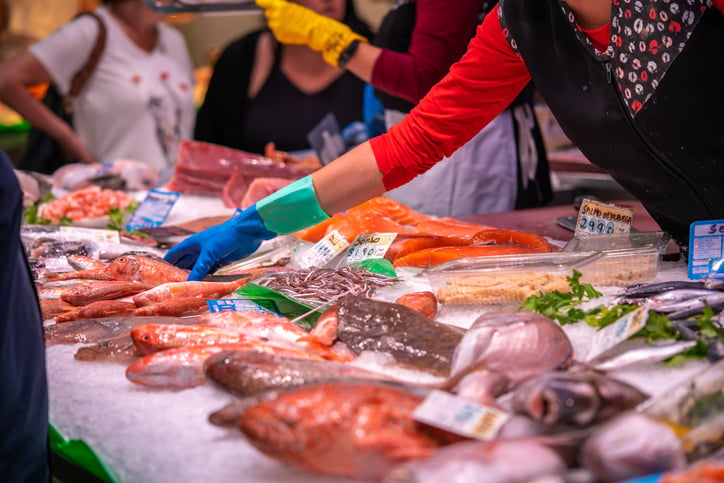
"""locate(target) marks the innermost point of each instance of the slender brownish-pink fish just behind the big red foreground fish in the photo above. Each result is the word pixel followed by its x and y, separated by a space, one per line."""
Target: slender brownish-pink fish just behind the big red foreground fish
pixel 250 372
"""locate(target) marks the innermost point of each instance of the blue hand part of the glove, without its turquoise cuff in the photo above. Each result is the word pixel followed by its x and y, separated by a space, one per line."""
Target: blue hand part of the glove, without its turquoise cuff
pixel 220 245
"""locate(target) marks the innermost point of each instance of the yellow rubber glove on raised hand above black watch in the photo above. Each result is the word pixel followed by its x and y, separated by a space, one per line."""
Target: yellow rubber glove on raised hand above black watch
pixel 294 24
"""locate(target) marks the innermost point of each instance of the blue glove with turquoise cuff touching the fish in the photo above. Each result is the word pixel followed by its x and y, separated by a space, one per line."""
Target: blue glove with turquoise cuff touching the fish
pixel 290 209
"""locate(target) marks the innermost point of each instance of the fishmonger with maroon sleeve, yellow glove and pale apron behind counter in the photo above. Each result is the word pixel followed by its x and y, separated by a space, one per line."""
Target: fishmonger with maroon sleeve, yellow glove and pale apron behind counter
pixel 417 42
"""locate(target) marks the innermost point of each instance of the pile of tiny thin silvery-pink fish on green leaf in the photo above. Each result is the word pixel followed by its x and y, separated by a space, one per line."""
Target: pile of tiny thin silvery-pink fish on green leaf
pixel 316 286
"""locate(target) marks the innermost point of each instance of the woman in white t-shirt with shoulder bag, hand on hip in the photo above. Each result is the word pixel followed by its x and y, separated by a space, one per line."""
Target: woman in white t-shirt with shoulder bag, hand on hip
pixel 138 102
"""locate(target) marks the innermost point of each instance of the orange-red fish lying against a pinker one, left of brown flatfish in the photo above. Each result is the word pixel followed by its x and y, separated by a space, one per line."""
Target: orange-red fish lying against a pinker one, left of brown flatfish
pixel 156 337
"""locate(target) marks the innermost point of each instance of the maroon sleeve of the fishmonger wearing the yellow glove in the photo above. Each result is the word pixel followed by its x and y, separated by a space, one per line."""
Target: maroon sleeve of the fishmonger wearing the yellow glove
pixel 441 33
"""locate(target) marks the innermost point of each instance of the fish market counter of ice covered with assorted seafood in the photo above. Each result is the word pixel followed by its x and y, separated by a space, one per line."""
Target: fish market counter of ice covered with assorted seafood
pixel 394 356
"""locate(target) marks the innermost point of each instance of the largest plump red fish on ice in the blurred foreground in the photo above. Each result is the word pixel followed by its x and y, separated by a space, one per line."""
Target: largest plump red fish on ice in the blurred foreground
pixel 354 429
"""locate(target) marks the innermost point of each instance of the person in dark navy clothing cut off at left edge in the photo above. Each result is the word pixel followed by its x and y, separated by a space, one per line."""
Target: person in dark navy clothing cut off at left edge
pixel 24 453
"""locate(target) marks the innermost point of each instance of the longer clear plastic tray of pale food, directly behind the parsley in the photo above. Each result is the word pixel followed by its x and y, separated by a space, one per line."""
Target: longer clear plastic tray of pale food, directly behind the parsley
pixel 508 279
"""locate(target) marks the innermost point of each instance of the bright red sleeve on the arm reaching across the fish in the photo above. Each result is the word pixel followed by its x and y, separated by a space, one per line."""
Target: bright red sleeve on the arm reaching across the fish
pixel 478 88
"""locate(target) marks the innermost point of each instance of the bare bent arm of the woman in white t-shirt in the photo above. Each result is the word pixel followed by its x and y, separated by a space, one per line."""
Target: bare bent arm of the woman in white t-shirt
pixel 21 72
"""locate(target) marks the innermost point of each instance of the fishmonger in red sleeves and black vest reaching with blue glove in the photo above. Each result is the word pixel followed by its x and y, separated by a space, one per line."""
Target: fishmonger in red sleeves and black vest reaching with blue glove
pixel 620 79
